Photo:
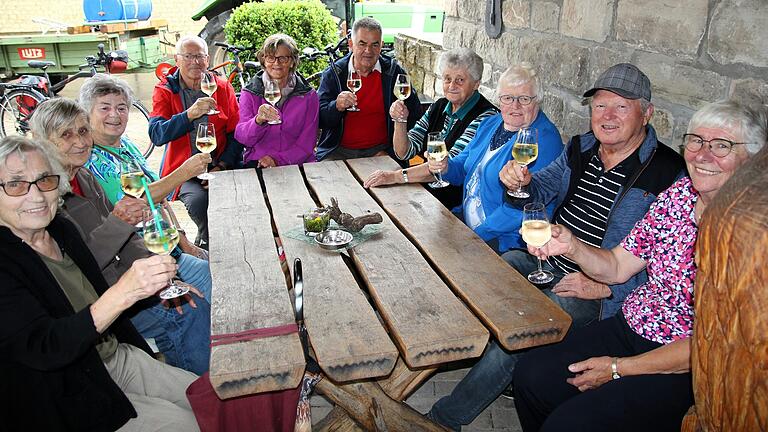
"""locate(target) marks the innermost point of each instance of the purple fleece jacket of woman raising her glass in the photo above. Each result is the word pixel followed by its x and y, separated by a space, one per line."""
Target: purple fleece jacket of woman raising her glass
pixel 290 142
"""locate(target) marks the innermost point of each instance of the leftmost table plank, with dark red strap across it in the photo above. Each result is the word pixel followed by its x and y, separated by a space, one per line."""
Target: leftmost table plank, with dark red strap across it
pixel 249 291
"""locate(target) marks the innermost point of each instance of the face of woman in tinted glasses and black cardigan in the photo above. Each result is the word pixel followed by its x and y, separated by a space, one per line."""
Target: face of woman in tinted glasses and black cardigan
pixel 29 213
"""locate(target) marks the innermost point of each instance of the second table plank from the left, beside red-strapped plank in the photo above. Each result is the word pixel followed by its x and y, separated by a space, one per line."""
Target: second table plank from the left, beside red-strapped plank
pixel 348 339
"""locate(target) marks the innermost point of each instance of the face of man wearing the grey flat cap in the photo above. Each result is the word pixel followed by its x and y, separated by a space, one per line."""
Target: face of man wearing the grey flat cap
pixel 618 122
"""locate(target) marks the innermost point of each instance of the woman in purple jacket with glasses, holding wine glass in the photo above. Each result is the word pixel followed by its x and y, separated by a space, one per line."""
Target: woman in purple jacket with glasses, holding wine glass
pixel 267 142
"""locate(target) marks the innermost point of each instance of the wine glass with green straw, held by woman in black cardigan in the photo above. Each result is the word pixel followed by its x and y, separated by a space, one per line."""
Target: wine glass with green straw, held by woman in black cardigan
pixel 161 236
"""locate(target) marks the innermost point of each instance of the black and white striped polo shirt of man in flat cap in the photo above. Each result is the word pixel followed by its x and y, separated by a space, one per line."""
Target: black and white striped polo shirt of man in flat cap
pixel 586 210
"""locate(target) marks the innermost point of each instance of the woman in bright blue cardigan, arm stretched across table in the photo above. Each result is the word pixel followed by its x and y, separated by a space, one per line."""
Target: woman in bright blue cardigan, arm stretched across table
pixel 476 168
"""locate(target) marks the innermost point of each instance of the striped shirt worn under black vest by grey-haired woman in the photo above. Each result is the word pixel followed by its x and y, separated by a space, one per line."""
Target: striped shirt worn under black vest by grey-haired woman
pixel 419 131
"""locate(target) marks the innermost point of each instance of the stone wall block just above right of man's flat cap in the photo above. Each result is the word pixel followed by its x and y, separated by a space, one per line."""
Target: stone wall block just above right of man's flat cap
pixel 682 84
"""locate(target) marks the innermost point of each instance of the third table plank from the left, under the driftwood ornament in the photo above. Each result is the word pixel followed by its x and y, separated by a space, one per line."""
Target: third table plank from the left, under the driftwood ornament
pixel 429 324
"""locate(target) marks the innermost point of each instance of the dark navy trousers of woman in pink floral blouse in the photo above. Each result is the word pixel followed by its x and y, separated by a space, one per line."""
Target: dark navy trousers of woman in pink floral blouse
pixel 546 402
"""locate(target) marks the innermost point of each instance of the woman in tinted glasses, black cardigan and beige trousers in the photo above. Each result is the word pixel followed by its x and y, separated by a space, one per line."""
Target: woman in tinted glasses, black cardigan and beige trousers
pixel 71 360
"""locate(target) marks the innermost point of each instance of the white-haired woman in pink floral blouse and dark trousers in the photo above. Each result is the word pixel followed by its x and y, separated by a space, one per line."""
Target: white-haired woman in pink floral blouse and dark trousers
pixel 631 372
